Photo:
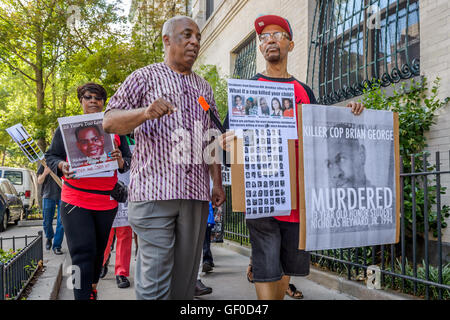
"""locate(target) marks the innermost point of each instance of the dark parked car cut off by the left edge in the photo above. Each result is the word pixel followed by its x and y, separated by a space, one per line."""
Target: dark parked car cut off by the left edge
pixel 14 205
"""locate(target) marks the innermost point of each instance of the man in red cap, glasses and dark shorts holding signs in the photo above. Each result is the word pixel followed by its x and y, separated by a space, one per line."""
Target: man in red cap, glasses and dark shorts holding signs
pixel 275 239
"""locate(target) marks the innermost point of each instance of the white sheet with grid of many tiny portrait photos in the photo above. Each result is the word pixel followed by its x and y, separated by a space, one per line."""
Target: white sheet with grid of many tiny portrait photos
pixel 266 178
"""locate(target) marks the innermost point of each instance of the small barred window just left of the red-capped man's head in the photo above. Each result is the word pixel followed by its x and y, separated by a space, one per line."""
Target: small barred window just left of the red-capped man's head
pixel 245 64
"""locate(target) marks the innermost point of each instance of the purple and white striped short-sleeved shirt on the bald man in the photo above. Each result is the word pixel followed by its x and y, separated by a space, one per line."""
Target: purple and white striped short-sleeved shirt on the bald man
pixel 168 159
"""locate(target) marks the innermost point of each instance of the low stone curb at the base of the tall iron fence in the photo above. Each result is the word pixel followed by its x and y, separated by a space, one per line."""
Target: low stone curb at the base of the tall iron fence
pixel 333 281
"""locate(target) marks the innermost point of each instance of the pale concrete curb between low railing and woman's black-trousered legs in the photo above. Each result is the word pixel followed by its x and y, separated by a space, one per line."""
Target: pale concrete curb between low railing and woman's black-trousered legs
pixel 48 284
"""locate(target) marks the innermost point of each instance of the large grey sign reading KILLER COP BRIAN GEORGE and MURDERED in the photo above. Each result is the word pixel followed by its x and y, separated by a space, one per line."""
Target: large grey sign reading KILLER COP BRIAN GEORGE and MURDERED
pixel 350 178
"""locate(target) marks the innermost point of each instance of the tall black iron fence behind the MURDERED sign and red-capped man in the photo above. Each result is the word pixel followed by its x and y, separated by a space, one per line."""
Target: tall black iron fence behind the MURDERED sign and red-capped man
pixel 416 264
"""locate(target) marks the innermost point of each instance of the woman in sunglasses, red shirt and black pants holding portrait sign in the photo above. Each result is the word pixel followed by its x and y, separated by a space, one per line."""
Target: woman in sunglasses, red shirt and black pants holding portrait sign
pixel 87 208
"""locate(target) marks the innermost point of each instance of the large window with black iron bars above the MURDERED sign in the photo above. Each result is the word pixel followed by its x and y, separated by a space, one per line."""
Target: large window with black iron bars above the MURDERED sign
pixel 355 43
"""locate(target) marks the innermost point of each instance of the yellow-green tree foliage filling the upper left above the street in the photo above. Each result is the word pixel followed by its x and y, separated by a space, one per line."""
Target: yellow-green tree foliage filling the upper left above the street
pixel 43 61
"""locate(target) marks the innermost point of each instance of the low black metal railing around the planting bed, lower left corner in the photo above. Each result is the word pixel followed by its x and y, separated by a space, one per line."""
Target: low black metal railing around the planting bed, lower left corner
pixel 16 273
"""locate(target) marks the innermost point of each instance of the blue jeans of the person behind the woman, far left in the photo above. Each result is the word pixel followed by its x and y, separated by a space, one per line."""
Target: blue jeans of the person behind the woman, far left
pixel 48 212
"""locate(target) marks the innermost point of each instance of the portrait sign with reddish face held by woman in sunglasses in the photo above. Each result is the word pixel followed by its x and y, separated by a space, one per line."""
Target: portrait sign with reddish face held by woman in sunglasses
pixel 87 144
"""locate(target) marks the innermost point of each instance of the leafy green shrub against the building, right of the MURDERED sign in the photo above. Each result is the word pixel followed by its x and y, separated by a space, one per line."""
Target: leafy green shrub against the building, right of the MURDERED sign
pixel 416 106
